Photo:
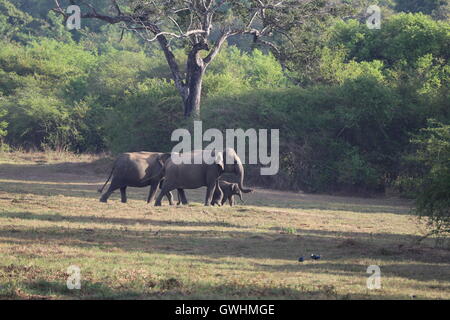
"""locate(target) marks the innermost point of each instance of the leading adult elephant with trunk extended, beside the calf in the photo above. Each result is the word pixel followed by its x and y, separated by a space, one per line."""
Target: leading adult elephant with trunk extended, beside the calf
pixel 192 175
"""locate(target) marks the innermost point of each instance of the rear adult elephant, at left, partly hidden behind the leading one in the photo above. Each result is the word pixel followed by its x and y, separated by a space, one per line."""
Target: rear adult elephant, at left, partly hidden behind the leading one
pixel 137 169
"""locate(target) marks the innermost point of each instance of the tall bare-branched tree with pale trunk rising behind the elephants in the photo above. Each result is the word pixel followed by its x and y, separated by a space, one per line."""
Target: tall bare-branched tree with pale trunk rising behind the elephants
pixel 192 21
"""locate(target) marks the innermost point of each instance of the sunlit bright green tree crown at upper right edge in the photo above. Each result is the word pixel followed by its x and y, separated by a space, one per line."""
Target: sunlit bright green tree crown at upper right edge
pixel 403 39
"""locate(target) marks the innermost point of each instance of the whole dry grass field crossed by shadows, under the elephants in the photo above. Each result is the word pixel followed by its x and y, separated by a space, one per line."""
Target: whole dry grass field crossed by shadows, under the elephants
pixel 50 219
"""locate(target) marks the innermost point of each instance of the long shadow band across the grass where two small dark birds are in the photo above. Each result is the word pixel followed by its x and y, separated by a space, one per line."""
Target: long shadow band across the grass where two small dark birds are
pixel 419 263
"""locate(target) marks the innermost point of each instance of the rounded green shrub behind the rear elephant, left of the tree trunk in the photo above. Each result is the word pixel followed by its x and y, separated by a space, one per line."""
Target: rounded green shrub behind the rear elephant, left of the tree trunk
pixel 146 118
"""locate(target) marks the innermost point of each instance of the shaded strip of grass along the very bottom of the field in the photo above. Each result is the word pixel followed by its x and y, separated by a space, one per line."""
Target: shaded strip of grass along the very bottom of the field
pixel 43 290
